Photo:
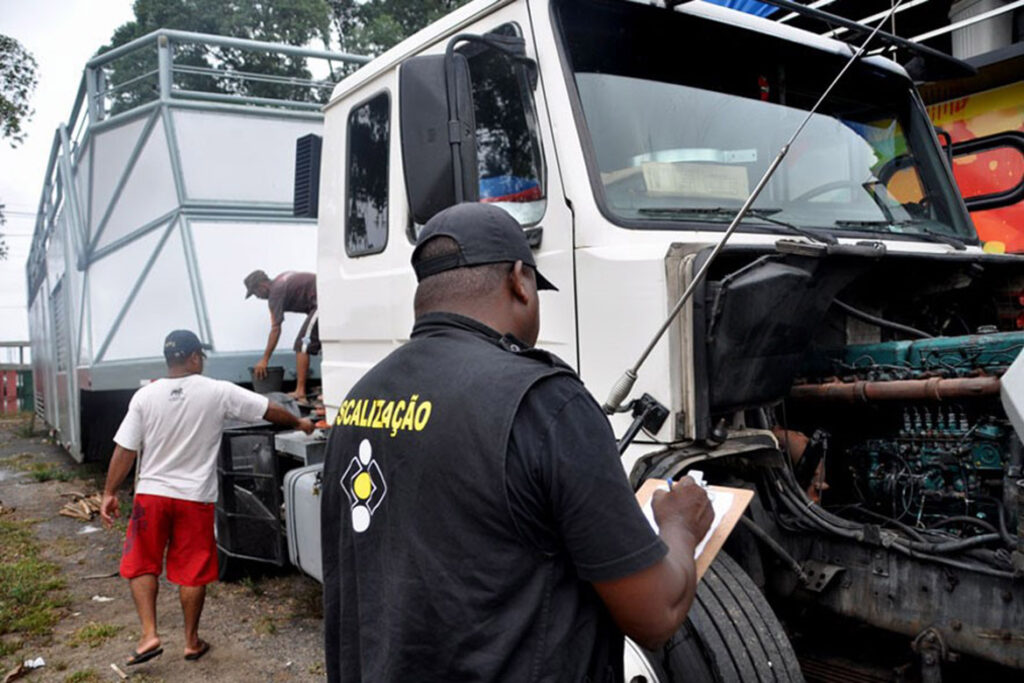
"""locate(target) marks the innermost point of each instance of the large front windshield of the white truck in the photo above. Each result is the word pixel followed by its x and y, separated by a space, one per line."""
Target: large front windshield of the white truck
pixel 684 115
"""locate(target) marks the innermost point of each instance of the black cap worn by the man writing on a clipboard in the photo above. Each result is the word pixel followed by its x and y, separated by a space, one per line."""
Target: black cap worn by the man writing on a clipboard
pixel 485 234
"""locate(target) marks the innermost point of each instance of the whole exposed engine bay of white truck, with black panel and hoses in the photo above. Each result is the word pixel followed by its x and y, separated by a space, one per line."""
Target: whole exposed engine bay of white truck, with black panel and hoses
pixel 859 393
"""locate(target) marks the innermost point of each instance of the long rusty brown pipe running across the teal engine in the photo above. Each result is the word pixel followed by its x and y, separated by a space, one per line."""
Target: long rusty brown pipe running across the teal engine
pixel 934 389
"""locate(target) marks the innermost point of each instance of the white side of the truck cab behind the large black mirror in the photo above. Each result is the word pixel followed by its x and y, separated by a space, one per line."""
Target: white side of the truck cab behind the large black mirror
pixel 367 236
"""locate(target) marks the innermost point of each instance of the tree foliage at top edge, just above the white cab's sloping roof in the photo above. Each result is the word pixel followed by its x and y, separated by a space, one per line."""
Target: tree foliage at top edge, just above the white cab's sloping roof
pixel 371 27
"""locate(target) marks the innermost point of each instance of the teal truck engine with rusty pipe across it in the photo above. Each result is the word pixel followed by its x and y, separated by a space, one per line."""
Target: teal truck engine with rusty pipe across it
pixel 924 440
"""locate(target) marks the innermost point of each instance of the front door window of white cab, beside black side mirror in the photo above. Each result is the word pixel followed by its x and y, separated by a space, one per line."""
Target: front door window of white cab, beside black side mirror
pixel 508 157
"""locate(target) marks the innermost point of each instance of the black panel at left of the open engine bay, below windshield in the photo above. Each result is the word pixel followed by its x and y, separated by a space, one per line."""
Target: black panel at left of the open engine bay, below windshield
pixel 761 320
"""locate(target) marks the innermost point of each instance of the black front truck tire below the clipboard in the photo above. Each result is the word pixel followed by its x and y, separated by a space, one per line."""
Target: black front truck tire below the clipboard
pixel 732 634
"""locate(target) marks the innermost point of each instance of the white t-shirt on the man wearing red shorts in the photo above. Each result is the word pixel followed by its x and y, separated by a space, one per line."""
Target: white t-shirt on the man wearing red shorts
pixel 176 425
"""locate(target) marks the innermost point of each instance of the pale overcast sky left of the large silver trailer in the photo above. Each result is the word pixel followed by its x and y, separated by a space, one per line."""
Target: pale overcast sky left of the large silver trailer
pixel 63 35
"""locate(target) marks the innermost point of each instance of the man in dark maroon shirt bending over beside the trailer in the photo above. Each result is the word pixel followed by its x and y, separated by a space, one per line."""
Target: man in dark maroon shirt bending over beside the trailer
pixel 291 292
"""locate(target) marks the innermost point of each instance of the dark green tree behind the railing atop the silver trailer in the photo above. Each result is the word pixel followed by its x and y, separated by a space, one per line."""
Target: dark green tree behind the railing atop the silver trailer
pixel 133 79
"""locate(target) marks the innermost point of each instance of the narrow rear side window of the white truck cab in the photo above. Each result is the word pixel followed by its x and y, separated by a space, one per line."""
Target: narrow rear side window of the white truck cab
pixel 367 184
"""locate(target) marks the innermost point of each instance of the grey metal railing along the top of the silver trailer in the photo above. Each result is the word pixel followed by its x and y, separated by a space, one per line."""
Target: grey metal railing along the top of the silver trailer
pixel 173 68
